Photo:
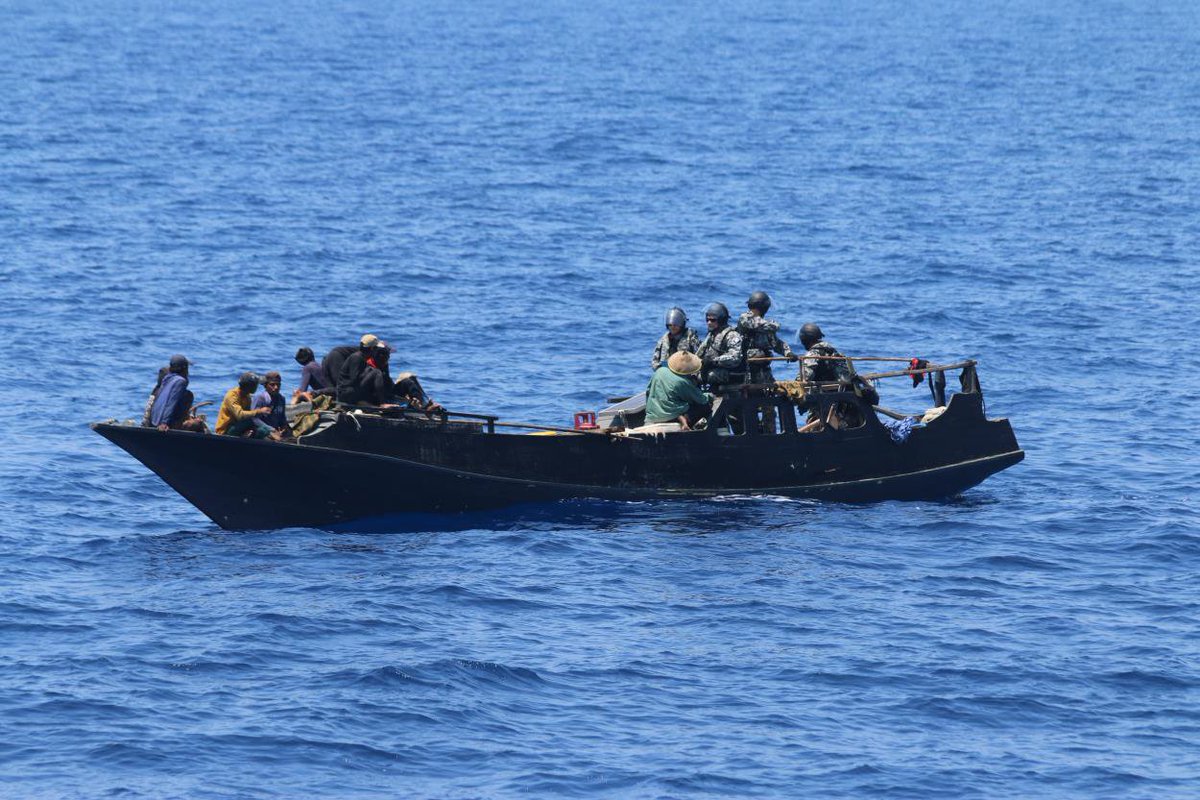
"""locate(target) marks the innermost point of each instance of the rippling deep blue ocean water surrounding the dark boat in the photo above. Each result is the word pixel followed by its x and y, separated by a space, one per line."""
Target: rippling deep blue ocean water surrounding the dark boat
pixel 513 194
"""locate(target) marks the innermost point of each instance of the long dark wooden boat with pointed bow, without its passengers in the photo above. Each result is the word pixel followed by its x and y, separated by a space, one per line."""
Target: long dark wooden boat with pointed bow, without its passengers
pixel 362 465
